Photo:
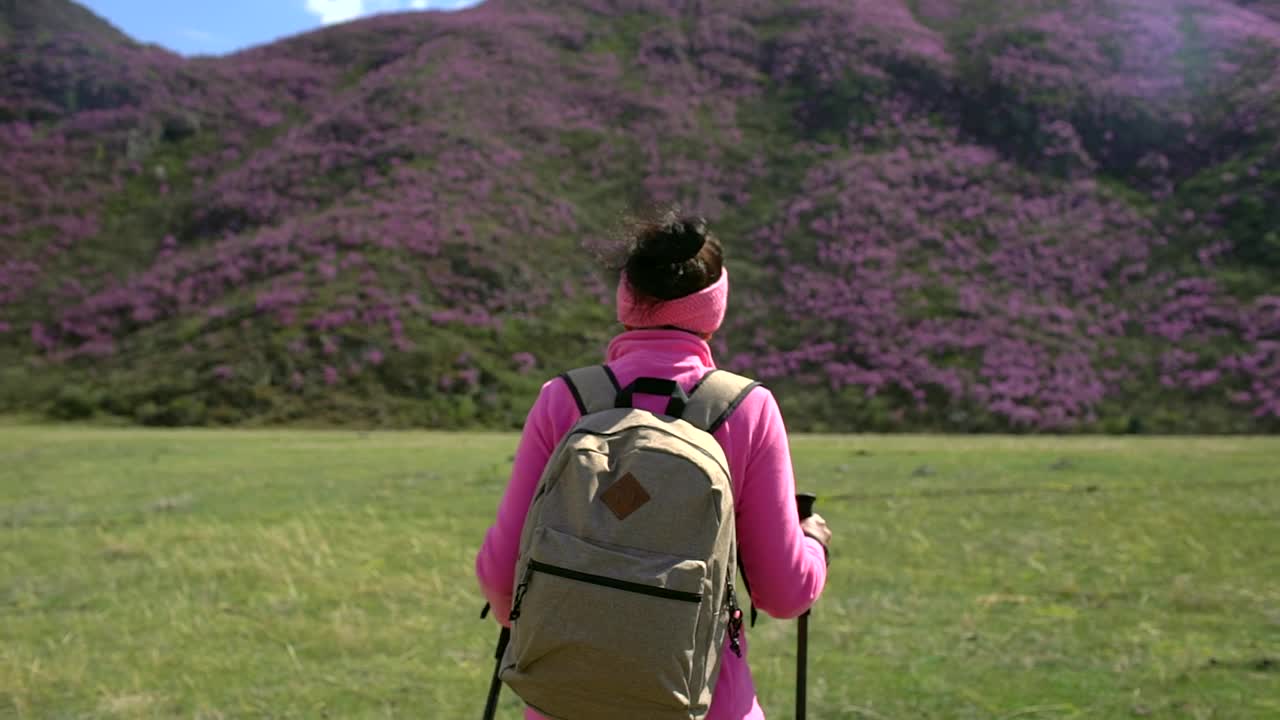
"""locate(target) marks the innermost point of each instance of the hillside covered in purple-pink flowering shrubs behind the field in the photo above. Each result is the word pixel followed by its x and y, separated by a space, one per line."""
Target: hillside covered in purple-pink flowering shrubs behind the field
pixel 941 215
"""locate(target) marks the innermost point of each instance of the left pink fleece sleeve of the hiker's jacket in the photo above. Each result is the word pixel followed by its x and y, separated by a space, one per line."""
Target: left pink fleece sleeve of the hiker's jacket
pixel 496 563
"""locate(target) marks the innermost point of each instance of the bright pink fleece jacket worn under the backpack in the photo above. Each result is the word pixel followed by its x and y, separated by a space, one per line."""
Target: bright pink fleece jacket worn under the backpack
pixel 787 569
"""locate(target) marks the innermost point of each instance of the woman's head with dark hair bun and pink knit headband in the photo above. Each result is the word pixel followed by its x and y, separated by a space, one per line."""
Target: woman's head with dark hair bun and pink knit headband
pixel 674 277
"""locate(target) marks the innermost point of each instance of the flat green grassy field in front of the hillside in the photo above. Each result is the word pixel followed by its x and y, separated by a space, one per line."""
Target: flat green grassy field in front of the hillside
pixel 328 575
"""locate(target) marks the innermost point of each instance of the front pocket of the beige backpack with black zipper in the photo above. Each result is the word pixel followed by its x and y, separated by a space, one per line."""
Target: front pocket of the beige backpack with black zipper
pixel 596 622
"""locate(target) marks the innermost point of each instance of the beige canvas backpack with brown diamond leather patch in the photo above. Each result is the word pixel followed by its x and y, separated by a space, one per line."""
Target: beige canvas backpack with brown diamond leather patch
pixel 625 577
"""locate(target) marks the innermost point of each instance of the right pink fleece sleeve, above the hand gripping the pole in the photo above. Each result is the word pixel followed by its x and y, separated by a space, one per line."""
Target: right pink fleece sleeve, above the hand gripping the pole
pixel 785 568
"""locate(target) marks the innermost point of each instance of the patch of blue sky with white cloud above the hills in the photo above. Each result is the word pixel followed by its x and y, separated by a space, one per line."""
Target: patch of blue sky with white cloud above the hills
pixel 200 28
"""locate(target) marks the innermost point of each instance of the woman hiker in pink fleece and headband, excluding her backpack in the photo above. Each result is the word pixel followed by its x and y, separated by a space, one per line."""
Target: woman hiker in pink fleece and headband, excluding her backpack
pixel 671 300
